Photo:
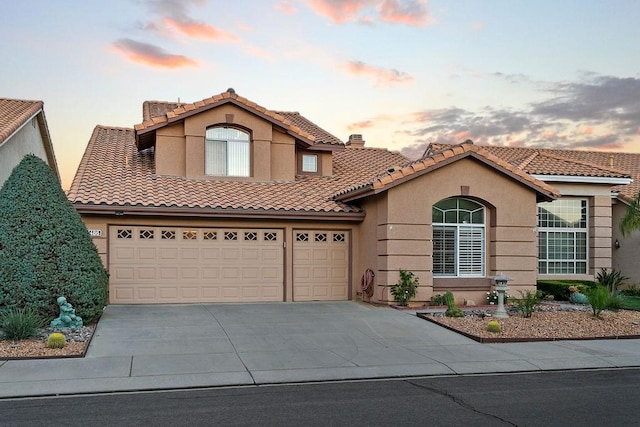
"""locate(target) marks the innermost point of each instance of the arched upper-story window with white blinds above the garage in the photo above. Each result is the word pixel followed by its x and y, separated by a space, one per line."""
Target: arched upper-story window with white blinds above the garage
pixel 227 152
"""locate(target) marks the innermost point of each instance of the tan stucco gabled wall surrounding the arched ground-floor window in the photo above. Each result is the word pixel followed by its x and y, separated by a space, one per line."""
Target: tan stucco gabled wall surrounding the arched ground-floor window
pixel 403 230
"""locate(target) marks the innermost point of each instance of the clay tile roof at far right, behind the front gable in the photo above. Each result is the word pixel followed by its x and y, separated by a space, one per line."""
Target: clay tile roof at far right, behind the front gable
pixel 554 162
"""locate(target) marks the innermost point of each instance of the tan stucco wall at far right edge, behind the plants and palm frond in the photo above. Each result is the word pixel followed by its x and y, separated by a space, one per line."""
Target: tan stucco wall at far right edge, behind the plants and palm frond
pixel 625 259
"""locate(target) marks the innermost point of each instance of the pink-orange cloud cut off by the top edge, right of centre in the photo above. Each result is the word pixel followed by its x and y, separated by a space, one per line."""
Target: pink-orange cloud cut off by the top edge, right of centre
pixel 409 12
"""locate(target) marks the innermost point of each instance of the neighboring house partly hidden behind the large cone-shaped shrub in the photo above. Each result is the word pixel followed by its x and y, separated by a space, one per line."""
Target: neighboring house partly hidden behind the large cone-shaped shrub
pixel 23 130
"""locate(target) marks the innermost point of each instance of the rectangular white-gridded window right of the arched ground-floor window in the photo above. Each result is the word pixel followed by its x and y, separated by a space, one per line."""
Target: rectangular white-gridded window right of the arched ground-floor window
pixel 562 237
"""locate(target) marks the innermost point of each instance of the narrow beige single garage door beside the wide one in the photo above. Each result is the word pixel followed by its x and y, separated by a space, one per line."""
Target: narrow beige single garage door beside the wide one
pixel 320 265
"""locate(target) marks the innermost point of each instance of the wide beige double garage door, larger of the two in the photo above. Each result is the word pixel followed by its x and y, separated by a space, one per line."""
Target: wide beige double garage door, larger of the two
pixel 174 265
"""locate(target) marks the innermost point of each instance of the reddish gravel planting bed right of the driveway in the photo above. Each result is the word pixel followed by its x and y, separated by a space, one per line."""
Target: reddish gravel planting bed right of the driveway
pixel 553 323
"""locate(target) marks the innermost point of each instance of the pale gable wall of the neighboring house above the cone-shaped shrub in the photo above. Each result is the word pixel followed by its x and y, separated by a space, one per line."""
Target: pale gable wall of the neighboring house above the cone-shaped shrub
pixel 27 140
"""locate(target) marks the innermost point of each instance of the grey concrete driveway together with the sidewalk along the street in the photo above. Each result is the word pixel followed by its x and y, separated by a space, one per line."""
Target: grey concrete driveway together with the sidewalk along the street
pixel 180 346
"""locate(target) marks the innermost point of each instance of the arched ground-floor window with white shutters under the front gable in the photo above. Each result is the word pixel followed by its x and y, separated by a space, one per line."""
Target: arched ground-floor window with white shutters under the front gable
pixel 458 238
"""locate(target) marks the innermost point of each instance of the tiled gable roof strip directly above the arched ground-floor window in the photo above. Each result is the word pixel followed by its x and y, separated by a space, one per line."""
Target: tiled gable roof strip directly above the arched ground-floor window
pixel 435 160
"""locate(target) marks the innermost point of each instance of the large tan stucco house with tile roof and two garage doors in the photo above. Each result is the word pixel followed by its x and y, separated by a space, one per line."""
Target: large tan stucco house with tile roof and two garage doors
pixel 223 200
